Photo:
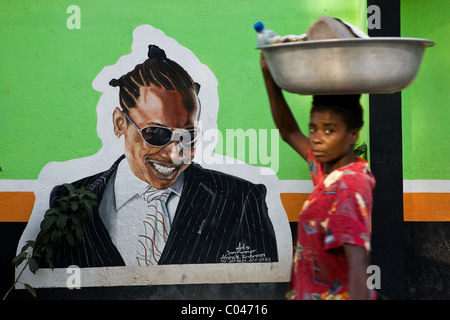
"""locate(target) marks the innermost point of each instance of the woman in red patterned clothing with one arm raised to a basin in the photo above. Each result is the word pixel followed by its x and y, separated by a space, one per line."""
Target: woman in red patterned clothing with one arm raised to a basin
pixel 333 235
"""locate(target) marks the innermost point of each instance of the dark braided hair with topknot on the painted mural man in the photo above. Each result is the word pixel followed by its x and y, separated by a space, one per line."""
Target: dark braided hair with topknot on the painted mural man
pixel 157 70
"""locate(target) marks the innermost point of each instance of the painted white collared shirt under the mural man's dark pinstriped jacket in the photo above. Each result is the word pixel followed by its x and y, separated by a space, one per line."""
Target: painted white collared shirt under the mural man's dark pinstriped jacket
pixel 123 210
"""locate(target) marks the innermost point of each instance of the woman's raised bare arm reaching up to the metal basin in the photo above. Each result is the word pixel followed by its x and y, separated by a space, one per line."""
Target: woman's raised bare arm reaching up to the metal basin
pixel 282 115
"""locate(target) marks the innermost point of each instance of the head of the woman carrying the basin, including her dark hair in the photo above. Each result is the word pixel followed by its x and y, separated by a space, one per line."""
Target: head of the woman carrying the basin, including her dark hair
pixel 334 128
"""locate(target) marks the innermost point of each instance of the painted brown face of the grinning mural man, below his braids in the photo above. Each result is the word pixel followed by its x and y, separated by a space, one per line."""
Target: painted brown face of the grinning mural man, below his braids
pixel 159 166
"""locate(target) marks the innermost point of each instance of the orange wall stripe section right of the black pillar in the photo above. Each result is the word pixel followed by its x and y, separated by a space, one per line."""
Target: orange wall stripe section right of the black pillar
pixel 426 206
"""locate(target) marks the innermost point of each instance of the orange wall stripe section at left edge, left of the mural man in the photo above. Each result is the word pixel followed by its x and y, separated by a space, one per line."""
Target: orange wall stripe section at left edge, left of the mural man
pixel 16 206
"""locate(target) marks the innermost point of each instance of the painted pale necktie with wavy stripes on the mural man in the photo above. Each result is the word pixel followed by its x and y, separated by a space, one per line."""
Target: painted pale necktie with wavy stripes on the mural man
pixel 155 227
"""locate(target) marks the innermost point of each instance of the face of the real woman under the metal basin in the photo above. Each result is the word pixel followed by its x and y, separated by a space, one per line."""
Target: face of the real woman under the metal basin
pixel 331 141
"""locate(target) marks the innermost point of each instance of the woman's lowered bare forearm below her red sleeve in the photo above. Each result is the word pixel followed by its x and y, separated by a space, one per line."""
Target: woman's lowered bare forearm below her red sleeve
pixel 357 278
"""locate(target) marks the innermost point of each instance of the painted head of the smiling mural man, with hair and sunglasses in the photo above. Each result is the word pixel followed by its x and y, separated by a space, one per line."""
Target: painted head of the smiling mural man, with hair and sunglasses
pixel 156 96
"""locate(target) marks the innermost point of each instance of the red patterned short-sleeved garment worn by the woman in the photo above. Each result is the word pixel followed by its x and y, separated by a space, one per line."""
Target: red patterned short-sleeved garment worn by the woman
pixel 337 212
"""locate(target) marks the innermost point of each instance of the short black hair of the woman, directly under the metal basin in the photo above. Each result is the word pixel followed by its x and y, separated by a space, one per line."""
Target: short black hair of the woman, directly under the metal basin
pixel 347 106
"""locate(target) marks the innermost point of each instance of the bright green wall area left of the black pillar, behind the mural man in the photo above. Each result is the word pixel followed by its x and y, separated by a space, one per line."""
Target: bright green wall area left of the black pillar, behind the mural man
pixel 48 105
